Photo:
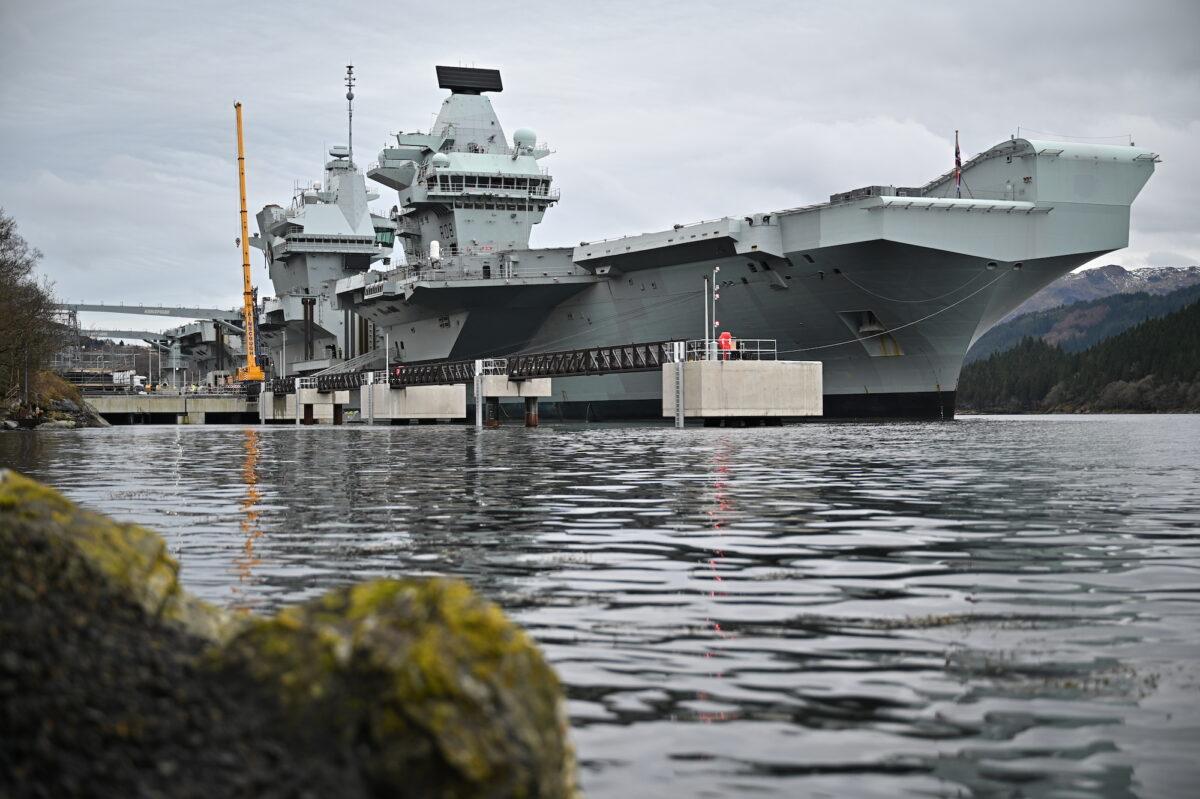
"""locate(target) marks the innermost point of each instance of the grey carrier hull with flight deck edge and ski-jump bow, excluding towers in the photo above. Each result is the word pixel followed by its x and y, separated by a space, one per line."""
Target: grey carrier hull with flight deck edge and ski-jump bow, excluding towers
pixel 887 287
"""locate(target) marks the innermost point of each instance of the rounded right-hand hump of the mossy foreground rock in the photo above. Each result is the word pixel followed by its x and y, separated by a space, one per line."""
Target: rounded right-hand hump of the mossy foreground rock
pixel 434 688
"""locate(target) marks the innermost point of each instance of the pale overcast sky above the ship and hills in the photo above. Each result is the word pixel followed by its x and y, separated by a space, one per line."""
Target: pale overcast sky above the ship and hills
pixel 118 130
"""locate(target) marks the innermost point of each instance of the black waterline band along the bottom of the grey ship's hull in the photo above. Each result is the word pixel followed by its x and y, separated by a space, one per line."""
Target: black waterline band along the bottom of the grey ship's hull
pixel 923 405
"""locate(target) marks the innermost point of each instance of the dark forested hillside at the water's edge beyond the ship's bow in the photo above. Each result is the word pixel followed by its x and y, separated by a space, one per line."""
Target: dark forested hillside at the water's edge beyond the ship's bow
pixel 1154 367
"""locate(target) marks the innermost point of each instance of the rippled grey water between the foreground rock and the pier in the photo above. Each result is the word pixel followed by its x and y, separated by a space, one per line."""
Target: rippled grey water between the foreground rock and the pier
pixel 999 606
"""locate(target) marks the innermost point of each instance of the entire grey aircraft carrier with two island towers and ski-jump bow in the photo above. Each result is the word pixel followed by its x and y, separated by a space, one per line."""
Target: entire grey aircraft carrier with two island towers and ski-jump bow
pixel 887 286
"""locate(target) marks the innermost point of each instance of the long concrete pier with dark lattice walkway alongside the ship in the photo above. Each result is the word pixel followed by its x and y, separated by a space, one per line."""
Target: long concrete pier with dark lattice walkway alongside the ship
pixel 737 385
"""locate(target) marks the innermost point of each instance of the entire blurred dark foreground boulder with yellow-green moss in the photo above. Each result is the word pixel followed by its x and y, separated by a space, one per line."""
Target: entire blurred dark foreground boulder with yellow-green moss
pixel 116 682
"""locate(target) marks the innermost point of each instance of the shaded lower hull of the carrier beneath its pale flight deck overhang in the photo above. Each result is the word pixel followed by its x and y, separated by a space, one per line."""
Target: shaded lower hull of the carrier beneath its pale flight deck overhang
pixel 813 311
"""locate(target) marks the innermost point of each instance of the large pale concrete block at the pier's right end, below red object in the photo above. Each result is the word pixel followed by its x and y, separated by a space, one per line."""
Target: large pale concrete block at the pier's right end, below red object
pixel 743 391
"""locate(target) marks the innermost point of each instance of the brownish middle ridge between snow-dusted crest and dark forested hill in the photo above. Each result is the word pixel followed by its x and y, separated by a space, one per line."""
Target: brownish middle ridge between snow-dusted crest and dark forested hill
pixel 1077 327
